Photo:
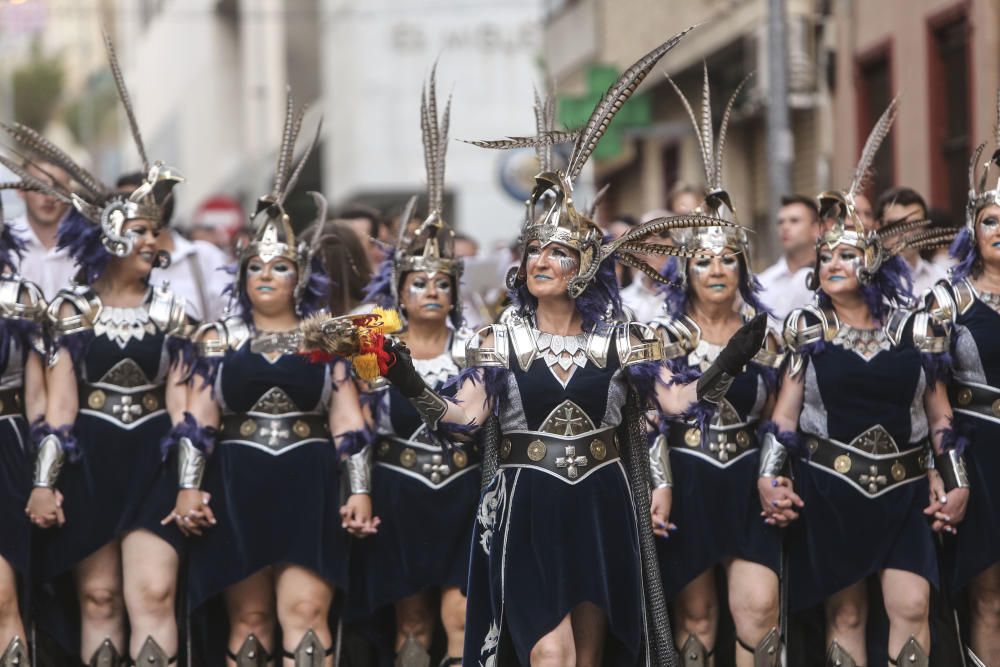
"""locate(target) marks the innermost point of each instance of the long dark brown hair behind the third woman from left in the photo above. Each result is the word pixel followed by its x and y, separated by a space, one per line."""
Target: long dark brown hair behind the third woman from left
pixel 345 263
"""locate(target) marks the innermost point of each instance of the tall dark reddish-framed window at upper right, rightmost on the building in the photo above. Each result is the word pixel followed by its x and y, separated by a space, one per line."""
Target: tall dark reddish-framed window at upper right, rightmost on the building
pixel 948 83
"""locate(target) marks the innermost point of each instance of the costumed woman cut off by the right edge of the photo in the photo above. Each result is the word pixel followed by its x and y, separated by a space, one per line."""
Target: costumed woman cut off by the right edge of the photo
pixel 970 305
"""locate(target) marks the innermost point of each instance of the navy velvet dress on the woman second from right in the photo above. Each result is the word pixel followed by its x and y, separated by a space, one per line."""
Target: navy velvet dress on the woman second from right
pixel 848 531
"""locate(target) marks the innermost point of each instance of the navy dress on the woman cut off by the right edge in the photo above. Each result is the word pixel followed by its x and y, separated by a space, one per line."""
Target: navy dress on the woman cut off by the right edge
pixel 976 368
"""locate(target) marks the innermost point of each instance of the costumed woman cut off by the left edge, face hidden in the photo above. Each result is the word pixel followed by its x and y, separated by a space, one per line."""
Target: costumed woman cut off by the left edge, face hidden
pixel 22 400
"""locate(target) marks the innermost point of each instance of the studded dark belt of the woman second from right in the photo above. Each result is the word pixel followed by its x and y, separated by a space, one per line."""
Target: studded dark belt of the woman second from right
pixel 872 474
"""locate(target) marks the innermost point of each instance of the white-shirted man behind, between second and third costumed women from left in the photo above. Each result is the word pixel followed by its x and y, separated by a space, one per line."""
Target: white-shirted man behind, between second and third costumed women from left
pixel 196 270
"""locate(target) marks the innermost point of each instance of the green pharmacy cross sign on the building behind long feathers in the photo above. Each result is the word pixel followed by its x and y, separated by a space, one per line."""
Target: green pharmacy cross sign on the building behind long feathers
pixel 575 111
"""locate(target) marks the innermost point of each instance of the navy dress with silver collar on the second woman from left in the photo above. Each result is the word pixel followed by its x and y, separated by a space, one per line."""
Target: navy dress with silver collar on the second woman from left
pixel 120 482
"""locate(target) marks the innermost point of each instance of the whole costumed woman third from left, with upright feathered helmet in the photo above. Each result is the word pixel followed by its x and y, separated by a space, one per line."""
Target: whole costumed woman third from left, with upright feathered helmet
pixel 258 450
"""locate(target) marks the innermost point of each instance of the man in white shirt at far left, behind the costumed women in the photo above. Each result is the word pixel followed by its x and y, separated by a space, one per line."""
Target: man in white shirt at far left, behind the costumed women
pixel 42 263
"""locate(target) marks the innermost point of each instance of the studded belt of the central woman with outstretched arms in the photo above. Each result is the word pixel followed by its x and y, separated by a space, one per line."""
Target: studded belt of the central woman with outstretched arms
pixel 569 457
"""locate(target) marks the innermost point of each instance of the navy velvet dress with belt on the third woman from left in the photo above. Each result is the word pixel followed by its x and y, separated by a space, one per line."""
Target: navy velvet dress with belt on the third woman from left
pixel 276 486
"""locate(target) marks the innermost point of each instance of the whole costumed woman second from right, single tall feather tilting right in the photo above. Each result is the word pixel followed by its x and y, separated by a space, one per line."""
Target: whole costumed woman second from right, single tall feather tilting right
pixel 863 391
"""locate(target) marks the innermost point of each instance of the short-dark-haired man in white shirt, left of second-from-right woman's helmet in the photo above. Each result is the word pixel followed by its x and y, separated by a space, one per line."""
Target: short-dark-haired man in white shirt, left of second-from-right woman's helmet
pixel 784 282
